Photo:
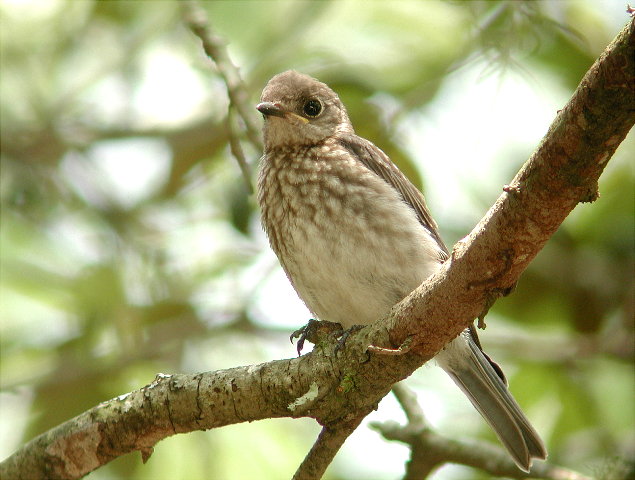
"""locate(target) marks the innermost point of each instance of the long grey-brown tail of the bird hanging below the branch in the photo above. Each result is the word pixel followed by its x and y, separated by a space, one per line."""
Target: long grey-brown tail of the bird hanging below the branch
pixel 473 372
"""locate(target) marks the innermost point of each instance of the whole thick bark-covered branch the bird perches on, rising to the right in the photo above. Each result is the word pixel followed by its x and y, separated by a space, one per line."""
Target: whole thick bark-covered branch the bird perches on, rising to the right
pixel 335 389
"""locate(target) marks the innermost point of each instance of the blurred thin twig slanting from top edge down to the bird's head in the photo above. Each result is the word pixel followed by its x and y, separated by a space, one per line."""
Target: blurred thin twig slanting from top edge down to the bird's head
pixel 215 48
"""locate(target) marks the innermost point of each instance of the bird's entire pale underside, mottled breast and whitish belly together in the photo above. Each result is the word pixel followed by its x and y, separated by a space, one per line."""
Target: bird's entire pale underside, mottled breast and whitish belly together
pixel 350 245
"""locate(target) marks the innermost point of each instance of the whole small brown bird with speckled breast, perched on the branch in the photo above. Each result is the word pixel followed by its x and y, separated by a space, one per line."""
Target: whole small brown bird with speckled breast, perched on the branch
pixel 355 236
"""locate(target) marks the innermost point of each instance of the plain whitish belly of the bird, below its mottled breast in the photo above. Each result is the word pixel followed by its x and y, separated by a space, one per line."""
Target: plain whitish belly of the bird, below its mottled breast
pixel 353 271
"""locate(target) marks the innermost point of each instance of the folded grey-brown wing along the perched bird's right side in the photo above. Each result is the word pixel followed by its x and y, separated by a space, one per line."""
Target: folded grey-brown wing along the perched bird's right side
pixel 379 163
